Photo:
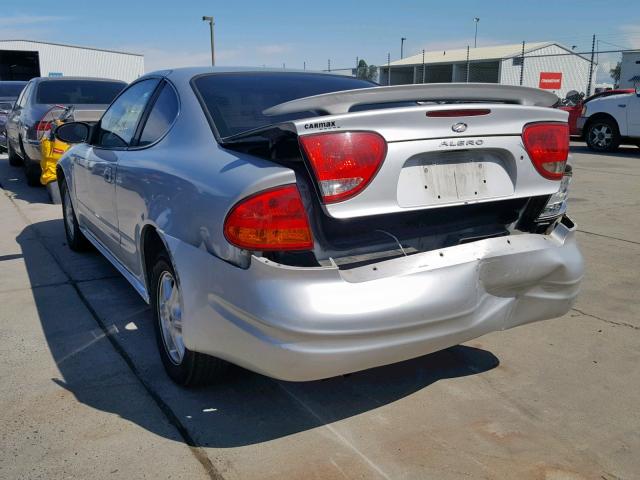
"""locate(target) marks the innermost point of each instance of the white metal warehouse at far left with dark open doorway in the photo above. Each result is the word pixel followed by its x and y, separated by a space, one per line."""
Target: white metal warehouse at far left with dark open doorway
pixel 25 59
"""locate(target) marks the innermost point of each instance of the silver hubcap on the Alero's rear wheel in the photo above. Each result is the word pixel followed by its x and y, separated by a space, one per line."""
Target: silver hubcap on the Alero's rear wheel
pixel 170 315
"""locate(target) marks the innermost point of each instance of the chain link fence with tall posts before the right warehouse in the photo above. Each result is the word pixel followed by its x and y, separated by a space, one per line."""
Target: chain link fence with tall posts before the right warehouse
pixel 565 71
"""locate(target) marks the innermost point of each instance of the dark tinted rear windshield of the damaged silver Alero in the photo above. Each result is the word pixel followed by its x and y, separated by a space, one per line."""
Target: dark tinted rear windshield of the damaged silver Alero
pixel 235 101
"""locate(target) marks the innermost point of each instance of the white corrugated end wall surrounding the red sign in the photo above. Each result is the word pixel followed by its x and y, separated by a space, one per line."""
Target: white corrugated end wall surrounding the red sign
pixel 575 69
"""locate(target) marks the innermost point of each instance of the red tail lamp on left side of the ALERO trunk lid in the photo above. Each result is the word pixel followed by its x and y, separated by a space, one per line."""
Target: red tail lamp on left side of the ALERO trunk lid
pixel 344 163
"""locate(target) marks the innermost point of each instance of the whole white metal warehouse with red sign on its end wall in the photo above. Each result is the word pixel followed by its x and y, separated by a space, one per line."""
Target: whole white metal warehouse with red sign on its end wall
pixel 547 65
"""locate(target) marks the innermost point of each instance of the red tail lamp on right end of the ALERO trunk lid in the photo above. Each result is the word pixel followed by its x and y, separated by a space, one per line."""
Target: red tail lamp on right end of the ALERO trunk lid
pixel 548 147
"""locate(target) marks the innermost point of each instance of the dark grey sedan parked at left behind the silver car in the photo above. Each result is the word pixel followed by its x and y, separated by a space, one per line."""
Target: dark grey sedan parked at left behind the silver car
pixel 26 123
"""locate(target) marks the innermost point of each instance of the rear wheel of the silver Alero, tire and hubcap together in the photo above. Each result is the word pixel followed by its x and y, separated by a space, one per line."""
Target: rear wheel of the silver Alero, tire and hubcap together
pixel 184 367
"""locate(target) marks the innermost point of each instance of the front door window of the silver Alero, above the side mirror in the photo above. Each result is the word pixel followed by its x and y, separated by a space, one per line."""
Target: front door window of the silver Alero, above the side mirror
pixel 119 122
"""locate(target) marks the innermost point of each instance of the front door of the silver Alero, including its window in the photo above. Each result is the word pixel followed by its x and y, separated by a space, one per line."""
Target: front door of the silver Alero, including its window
pixel 96 172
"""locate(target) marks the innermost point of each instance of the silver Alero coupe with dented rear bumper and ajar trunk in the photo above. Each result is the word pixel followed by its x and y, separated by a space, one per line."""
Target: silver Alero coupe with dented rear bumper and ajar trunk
pixel 306 225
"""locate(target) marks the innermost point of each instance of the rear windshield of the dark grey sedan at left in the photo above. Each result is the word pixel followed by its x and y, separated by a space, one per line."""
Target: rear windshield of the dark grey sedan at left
pixel 69 92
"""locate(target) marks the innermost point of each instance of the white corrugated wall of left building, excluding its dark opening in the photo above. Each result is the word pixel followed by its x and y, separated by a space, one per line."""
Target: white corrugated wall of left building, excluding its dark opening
pixel 78 61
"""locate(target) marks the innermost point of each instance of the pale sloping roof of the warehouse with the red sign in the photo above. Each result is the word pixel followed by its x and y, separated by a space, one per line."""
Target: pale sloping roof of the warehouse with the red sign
pixel 496 52
